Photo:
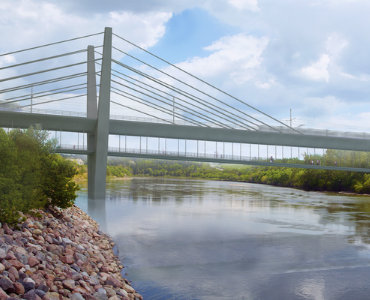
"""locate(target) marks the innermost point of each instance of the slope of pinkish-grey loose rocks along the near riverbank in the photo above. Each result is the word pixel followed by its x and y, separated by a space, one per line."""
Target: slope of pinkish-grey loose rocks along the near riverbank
pixel 60 254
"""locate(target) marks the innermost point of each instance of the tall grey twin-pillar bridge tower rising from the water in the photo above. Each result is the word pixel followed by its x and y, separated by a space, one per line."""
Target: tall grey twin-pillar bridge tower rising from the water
pixel 97 141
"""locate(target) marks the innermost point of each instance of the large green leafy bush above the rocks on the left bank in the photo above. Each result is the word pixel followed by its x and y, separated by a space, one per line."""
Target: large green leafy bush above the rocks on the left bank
pixel 30 176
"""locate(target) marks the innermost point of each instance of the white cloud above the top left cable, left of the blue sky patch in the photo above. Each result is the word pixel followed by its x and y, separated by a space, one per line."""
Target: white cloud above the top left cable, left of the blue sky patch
pixel 30 23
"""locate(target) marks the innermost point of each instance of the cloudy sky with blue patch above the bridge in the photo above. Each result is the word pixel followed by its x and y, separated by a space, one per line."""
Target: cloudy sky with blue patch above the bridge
pixel 310 56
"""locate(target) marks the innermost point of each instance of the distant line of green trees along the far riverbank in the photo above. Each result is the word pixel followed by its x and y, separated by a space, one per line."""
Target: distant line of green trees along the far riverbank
pixel 307 179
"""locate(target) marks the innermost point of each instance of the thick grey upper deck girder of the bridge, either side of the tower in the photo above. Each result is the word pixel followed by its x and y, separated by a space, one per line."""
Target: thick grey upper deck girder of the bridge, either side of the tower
pixel 170 131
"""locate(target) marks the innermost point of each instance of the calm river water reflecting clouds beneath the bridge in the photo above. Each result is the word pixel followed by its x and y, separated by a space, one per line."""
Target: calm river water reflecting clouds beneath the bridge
pixel 182 239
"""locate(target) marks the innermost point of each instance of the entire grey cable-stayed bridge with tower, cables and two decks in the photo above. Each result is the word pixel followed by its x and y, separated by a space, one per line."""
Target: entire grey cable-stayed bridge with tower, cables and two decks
pixel 165 102
